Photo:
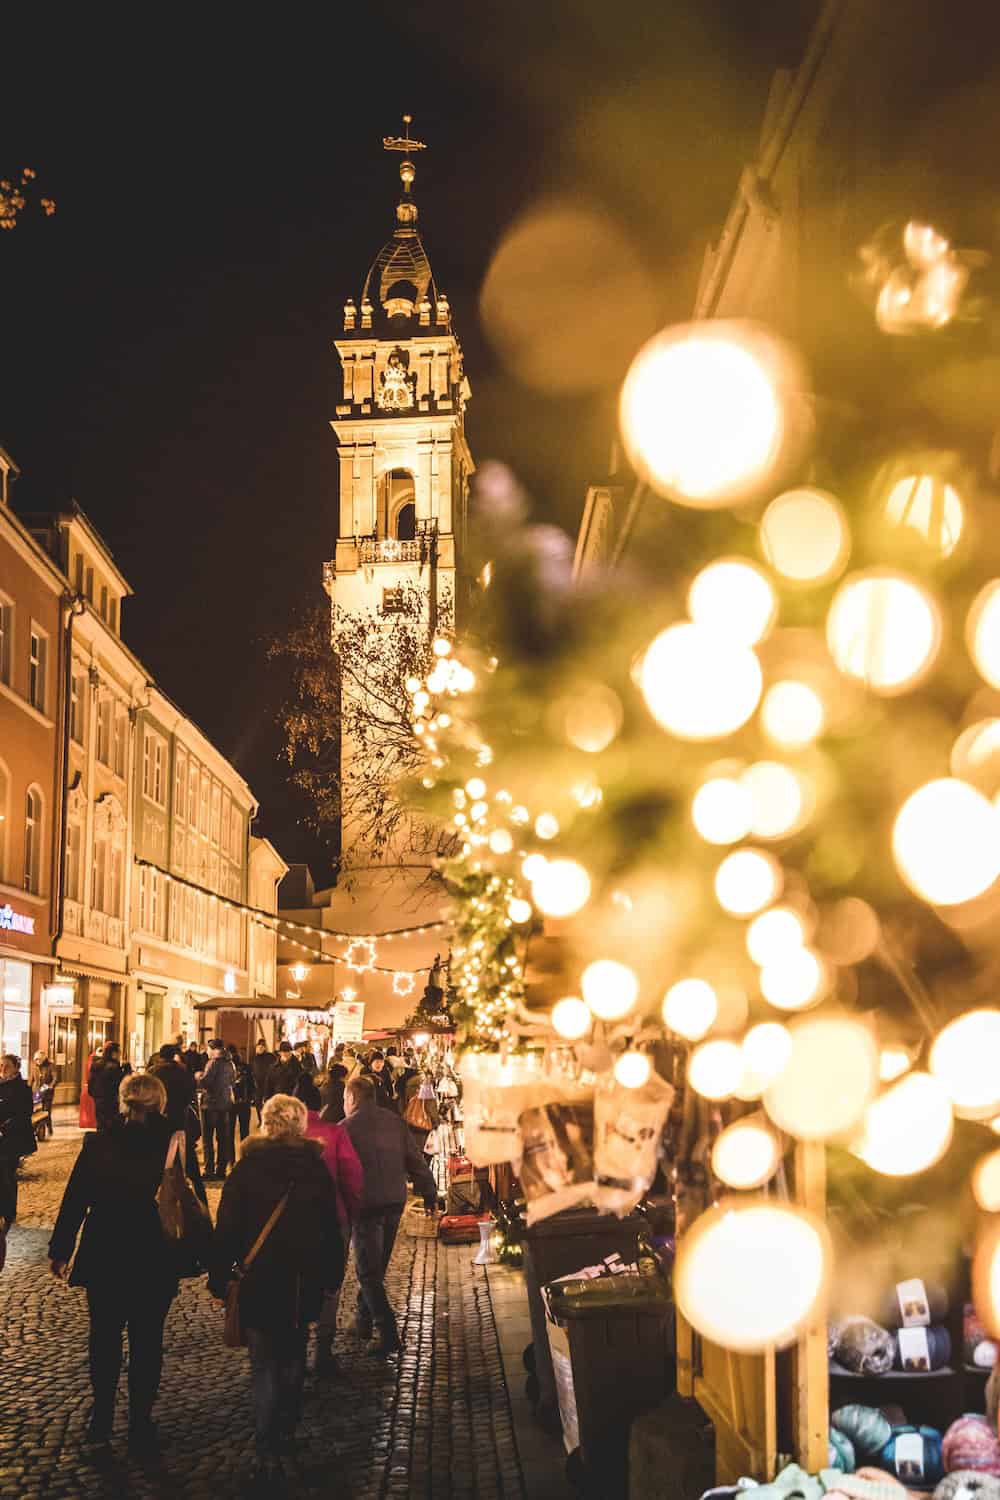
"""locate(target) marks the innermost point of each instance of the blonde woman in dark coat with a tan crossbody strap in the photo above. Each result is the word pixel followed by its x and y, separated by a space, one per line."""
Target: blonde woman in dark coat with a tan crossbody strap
pixel 302 1259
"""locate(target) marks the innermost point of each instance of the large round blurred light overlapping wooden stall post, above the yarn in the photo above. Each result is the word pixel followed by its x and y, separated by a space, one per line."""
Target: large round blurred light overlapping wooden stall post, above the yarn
pixel 752 1277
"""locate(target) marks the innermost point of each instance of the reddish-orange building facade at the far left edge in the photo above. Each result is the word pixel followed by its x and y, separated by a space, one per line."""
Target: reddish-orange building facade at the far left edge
pixel 34 622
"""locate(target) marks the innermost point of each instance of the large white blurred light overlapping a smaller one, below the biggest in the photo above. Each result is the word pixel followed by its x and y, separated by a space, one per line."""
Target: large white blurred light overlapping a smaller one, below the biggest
pixel 698 685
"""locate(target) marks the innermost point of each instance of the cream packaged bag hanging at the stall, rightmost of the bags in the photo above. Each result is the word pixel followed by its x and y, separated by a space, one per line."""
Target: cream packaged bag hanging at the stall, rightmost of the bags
pixel 629 1126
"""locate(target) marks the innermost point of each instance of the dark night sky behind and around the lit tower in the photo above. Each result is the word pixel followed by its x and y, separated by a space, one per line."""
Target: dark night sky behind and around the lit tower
pixel 221 190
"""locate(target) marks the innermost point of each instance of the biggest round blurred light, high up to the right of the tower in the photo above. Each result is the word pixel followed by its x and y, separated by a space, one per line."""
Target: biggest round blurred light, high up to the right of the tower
pixel 702 415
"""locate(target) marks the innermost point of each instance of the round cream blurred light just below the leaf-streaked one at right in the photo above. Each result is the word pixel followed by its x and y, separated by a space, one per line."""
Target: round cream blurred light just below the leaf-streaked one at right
pixel 884 629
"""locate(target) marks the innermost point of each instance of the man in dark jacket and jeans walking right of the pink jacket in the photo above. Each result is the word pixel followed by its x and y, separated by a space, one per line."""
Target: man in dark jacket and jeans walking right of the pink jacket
pixel 389 1157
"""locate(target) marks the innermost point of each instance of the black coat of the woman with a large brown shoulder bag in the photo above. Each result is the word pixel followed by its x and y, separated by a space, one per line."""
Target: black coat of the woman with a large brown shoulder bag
pixel 112 1192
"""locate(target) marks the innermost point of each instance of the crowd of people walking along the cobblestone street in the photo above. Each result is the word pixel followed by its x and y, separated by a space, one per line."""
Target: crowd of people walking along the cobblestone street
pixel 323 1171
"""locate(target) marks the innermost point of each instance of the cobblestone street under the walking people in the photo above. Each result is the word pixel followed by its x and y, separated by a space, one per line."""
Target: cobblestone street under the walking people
pixel 437 1423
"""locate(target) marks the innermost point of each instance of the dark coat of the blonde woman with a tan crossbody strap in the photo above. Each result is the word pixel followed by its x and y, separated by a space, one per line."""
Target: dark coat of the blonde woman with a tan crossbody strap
pixel 304 1255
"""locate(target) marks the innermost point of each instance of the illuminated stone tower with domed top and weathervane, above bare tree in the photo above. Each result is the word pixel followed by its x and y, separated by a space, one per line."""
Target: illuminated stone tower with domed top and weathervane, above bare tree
pixel 406 464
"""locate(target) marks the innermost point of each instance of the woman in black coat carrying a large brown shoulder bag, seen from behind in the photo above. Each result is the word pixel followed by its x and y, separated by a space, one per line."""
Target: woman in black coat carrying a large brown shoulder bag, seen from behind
pixel 124 1261
